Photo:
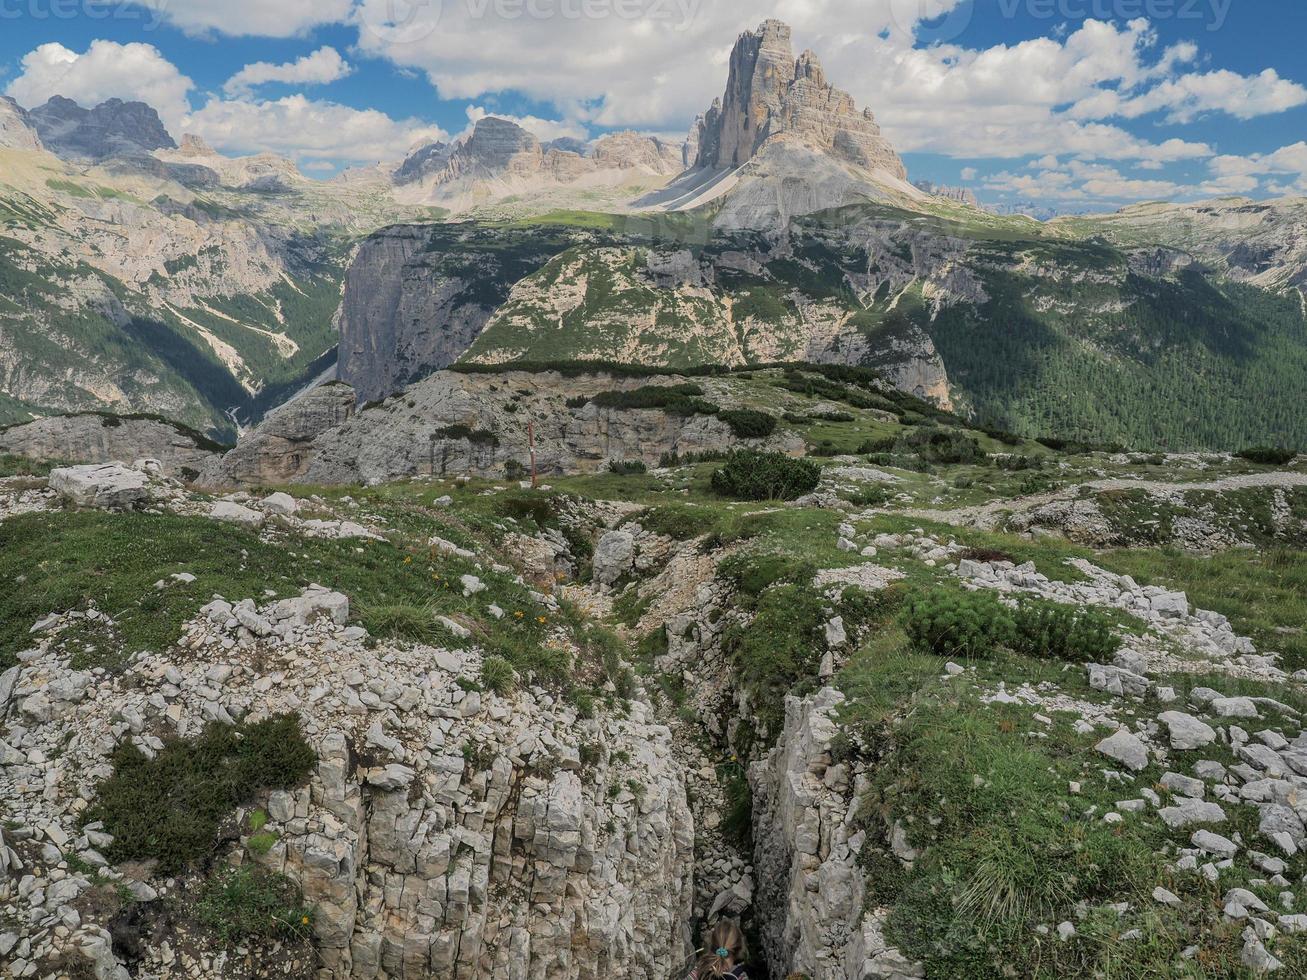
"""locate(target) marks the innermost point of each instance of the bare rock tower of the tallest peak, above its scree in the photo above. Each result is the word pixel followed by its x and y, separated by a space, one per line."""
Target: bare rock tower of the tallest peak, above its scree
pixel 770 96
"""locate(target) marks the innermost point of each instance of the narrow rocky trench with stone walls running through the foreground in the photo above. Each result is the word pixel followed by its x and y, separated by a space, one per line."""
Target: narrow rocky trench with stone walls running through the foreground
pixel 772 826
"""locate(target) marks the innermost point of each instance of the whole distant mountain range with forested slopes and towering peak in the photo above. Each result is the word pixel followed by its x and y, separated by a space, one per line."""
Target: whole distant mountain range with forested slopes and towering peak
pixel 142 275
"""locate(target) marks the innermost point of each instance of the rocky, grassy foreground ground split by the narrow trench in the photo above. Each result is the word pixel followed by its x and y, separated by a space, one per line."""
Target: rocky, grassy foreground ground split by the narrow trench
pixel 467 813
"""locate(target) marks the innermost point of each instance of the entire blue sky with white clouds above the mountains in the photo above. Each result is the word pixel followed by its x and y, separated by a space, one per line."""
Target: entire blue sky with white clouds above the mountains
pixel 1075 105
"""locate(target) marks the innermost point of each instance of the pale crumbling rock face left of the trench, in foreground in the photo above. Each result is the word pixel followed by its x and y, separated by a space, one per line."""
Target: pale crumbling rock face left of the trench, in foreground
pixel 442 833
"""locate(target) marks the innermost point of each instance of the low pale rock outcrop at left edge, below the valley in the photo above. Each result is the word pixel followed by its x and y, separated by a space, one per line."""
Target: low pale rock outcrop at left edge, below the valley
pixel 100 438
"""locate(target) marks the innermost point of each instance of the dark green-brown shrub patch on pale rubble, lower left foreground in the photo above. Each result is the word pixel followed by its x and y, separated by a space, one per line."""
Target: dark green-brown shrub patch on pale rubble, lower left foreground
pixel 169 808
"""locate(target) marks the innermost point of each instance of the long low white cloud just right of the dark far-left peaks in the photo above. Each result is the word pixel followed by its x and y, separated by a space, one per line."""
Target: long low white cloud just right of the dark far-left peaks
pixel 303 129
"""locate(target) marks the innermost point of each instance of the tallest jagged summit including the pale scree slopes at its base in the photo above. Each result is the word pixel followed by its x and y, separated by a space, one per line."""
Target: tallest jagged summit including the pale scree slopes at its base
pixel 784 142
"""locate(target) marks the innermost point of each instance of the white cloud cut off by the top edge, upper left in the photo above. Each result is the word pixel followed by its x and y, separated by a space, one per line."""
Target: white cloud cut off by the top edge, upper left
pixel 274 19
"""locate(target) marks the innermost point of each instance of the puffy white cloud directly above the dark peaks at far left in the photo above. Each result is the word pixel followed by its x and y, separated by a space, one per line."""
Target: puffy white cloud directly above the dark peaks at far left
pixel 105 71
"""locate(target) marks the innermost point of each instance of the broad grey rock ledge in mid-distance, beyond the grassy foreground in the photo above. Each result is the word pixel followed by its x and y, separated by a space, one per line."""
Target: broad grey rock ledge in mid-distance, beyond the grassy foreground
pixel 471 424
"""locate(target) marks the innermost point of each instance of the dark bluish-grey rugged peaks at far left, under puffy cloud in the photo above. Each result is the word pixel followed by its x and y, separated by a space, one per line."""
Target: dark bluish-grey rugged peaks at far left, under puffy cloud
pixel 113 129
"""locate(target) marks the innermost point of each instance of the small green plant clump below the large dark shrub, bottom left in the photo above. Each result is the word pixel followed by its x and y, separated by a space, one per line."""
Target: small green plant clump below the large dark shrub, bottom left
pixel 252 904
